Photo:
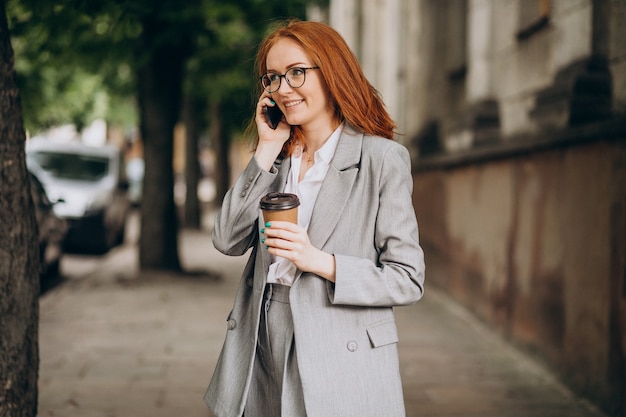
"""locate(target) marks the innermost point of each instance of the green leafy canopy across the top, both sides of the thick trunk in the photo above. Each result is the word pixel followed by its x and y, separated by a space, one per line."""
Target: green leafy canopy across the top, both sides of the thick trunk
pixel 77 60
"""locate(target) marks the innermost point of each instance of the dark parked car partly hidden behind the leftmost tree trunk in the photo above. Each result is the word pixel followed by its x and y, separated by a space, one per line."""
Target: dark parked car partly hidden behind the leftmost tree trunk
pixel 52 230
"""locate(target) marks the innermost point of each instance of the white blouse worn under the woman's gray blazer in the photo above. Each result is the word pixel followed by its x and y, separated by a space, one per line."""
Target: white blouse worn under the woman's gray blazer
pixel 281 270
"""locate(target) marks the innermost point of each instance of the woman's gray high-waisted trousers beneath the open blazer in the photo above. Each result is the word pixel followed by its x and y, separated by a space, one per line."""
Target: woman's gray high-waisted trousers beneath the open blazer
pixel 275 389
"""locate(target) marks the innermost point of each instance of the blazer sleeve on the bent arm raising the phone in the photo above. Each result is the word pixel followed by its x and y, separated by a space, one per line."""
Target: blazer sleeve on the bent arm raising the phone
pixel 235 228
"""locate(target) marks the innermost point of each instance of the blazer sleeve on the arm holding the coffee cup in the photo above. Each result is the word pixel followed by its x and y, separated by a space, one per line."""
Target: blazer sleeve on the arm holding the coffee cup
pixel 396 277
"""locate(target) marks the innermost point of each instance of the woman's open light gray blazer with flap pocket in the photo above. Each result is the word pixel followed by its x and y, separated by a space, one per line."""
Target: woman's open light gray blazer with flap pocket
pixel 345 333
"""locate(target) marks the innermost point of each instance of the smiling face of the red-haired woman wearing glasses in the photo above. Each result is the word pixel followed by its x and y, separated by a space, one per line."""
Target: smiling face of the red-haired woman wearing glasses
pixel 309 105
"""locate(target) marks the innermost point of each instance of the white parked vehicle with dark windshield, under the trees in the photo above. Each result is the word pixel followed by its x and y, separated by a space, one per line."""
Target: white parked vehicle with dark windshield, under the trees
pixel 90 186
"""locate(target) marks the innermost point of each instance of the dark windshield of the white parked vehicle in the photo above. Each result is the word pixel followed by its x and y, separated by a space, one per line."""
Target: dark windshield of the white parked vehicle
pixel 71 166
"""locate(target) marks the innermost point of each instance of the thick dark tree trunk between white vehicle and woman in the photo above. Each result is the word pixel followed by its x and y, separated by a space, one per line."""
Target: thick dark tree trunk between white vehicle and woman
pixel 159 85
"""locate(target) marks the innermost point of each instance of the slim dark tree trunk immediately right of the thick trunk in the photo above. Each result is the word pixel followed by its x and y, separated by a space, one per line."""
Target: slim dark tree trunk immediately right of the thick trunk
pixel 192 165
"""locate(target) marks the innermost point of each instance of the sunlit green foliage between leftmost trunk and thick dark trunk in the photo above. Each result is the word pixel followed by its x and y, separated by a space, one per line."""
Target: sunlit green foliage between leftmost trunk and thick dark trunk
pixel 73 62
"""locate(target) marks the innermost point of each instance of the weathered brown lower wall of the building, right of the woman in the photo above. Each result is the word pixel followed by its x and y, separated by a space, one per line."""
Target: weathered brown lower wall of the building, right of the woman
pixel 527 243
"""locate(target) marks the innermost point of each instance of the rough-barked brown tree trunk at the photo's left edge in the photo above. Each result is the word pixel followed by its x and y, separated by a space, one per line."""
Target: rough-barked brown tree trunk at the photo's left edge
pixel 19 260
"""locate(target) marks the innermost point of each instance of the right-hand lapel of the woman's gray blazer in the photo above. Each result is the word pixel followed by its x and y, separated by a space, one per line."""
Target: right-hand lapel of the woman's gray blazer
pixel 335 189
